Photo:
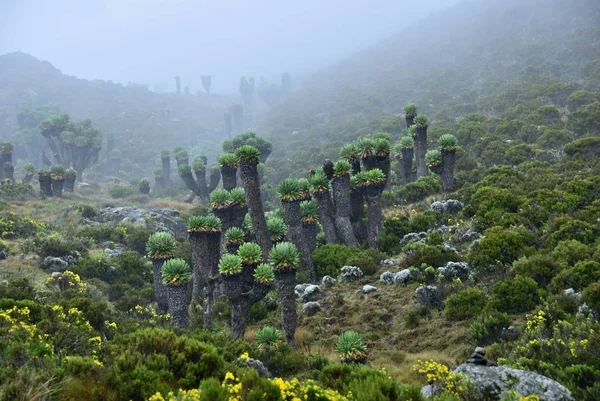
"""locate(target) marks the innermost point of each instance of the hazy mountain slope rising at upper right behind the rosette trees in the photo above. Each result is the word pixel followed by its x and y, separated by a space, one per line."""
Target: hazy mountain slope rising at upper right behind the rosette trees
pixel 474 57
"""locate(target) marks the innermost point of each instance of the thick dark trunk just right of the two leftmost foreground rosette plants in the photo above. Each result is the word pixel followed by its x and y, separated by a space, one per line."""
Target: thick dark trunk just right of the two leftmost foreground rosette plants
pixel 206 249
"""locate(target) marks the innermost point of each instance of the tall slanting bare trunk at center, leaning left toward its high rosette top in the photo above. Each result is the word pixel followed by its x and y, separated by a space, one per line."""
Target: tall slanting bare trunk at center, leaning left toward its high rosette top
pixel 249 174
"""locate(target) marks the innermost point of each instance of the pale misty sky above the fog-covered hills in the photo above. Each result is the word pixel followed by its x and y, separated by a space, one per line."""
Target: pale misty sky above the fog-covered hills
pixel 151 41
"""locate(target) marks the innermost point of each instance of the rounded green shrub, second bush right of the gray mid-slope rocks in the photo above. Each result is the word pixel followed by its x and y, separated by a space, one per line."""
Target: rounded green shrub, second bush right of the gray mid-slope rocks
pixel 516 295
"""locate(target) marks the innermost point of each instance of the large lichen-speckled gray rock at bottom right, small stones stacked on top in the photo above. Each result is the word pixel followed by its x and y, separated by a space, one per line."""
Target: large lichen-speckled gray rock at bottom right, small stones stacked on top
pixel 497 381
